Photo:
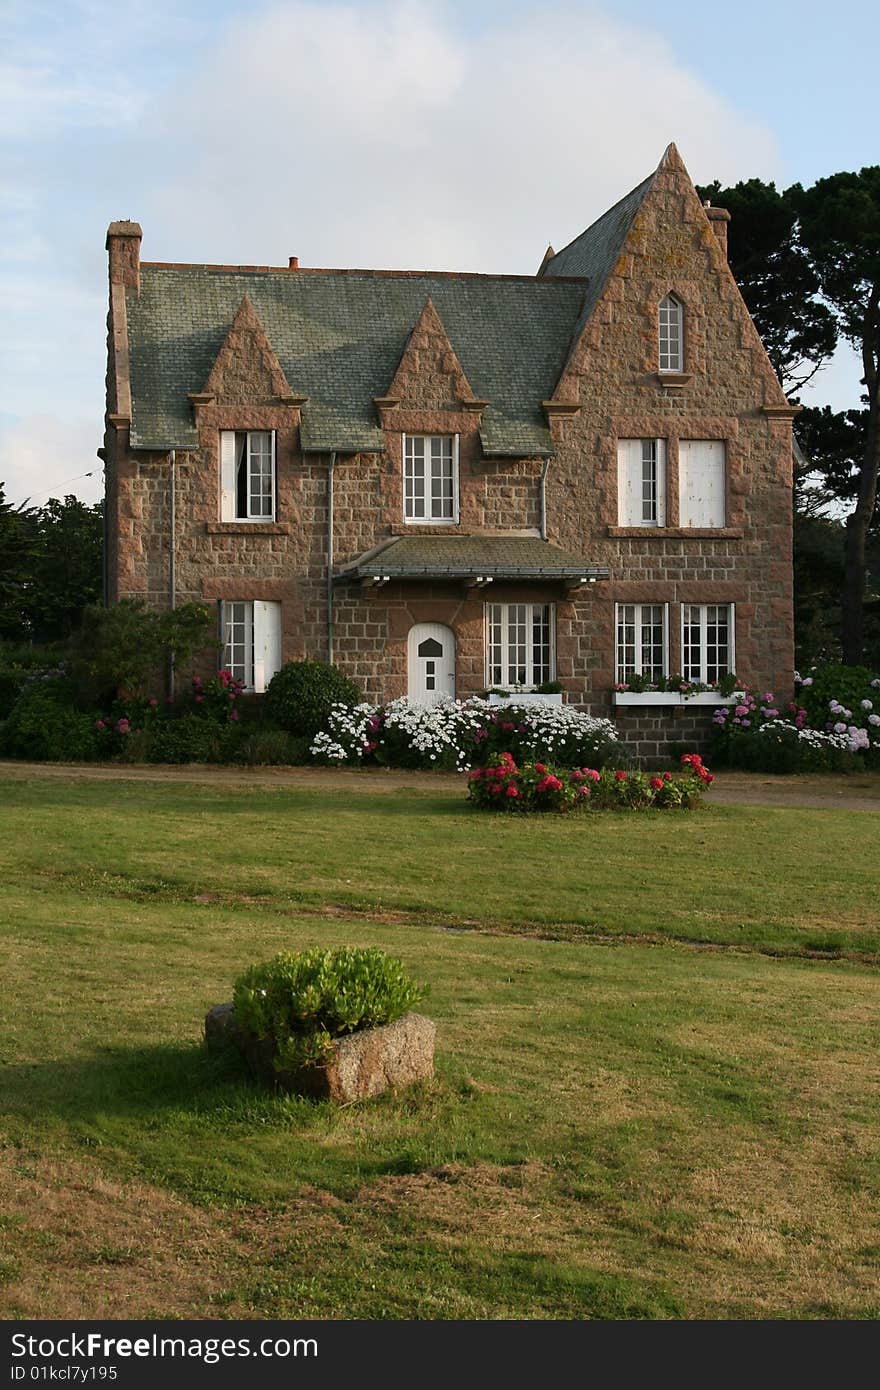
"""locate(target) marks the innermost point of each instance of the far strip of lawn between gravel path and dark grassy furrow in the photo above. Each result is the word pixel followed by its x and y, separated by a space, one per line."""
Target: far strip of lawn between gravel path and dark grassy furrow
pixel 742 876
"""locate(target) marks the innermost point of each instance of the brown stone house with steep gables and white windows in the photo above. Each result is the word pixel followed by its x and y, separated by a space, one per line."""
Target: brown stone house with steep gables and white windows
pixel 447 483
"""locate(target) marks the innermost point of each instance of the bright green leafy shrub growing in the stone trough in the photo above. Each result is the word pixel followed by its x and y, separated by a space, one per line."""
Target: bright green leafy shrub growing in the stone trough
pixel 297 1004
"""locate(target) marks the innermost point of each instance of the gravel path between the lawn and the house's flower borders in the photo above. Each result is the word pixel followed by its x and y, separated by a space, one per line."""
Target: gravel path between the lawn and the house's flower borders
pixel 857 793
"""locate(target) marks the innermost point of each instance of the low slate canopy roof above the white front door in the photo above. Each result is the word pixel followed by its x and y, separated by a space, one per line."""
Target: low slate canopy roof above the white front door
pixel 468 557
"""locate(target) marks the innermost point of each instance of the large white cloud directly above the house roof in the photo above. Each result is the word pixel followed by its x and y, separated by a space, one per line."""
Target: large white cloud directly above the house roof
pixel 383 136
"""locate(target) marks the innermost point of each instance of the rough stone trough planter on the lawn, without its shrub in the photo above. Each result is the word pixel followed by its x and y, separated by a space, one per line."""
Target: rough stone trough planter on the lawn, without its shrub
pixel 362 1064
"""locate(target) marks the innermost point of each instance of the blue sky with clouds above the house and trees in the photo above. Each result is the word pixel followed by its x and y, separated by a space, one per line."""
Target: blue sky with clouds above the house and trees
pixel 387 134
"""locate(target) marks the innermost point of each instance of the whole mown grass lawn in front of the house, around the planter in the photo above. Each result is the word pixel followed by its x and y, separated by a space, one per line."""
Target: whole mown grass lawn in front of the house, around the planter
pixel 657 1089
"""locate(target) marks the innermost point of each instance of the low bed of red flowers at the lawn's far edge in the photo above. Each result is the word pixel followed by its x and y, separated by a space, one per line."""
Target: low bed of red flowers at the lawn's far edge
pixel 504 786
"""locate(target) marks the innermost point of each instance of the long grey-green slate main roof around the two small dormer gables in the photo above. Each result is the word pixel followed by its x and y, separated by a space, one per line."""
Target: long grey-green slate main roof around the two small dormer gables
pixel 340 337
